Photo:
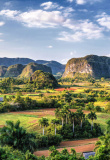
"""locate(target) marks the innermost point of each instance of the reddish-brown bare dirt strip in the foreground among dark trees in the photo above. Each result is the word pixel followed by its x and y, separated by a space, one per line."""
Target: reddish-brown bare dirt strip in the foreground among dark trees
pixel 79 145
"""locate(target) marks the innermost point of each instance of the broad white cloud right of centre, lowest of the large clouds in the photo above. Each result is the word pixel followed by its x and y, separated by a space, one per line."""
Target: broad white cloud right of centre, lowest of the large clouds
pixel 80 30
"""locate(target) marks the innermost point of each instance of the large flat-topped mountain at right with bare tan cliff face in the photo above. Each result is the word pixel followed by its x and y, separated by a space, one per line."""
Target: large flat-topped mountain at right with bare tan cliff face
pixel 97 66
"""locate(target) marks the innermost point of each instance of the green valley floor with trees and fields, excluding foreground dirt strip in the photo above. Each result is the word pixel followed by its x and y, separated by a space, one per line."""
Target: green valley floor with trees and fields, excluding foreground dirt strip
pixel 39 112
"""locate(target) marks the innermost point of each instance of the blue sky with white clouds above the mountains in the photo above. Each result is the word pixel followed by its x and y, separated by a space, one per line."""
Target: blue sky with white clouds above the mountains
pixel 54 30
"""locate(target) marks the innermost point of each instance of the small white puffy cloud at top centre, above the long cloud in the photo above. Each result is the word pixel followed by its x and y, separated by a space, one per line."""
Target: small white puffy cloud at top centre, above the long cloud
pixel 49 5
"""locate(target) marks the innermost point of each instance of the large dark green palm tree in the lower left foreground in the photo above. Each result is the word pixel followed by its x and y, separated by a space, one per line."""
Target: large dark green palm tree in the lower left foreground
pixel 17 137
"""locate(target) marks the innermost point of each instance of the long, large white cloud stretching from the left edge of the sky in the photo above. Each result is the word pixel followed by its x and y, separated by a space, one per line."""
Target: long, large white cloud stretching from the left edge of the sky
pixel 36 18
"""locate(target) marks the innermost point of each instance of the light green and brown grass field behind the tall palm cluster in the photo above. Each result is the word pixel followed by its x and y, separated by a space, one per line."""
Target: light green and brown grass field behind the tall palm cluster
pixel 29 119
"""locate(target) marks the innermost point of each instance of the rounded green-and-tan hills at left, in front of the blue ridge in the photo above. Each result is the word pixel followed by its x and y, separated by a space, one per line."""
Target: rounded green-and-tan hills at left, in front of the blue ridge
pixel 22 71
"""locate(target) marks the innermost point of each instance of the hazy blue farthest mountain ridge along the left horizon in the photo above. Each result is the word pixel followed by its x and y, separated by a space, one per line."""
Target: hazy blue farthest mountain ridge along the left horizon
pixel 56 67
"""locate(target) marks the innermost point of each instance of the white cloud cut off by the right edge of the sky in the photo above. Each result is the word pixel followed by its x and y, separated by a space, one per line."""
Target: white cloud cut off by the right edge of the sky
pixel 104 20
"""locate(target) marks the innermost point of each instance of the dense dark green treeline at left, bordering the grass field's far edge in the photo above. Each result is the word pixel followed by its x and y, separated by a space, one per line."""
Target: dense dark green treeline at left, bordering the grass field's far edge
pixel 18 103
